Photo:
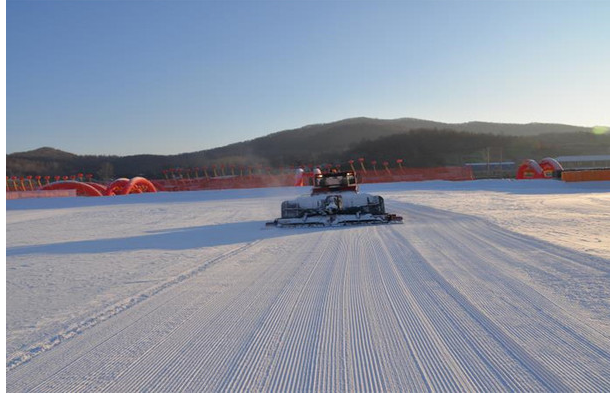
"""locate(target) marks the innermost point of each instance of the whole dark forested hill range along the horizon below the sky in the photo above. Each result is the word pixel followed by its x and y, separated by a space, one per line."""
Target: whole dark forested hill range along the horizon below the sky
pixel 418 142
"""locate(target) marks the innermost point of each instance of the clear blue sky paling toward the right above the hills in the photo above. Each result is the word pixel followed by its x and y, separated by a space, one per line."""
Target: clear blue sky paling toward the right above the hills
pixel 165 77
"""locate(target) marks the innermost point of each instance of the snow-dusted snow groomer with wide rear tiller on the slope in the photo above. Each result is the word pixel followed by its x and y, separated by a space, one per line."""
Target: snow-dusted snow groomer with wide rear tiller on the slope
pixel 334 201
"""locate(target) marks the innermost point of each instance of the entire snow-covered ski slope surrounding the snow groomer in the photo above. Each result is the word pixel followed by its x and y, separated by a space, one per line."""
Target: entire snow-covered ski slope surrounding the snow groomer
pixel 487 286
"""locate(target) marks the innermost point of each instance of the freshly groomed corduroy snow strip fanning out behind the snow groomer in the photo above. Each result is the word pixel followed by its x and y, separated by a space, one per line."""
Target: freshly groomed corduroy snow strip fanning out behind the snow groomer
pixel 444 302
